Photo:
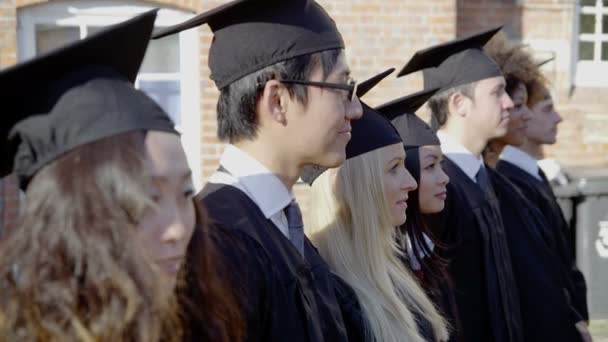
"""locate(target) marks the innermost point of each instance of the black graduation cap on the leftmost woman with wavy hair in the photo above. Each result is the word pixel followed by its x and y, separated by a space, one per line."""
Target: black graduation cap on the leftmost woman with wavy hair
pixel 76 95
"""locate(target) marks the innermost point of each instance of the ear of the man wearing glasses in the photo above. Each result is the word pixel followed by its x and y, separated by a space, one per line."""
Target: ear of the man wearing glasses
pixel 272 104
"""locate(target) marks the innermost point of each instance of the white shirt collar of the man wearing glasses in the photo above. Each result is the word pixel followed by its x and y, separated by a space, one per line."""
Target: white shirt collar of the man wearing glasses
pixel 266 189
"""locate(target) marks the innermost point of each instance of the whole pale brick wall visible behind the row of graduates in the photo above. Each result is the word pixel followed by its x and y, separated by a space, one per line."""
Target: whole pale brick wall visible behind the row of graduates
pixel 385 33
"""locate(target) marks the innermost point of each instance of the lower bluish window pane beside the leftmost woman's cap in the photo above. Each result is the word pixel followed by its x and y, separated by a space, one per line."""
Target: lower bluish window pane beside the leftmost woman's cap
pixel 167 94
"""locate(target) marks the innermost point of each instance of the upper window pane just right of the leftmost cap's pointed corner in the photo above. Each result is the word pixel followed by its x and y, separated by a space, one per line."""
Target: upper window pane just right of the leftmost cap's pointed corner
pixel 162 55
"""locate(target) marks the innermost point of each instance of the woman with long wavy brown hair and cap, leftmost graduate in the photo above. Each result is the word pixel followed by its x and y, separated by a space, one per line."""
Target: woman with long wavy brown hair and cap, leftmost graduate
pixel 99 251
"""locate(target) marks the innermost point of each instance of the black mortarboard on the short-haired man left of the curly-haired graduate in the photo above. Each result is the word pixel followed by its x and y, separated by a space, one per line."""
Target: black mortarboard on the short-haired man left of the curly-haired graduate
pixel 454 63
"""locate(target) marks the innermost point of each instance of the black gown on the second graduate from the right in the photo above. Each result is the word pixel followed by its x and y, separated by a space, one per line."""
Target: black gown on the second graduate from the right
pixel 545 311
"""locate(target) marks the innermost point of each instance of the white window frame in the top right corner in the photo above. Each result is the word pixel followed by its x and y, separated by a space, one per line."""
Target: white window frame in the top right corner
pixel 589 73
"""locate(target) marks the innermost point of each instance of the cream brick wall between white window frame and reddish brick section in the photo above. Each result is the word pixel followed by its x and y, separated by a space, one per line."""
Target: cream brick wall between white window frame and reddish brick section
pixel 378 35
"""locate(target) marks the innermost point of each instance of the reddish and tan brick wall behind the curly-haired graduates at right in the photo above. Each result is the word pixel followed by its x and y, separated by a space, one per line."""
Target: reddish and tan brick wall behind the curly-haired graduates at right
pixel 547 25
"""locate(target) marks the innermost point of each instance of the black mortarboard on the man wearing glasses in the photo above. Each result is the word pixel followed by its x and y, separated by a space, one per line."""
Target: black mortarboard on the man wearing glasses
pixel 249 35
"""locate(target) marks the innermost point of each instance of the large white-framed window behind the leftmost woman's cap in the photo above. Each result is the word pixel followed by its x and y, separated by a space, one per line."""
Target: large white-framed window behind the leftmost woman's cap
pixel 169 73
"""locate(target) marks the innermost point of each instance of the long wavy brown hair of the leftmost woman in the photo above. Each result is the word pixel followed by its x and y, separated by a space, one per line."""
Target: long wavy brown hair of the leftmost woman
pixel 71 269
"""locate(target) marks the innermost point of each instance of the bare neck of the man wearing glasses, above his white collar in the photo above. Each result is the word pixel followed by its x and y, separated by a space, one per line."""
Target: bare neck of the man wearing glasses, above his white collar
pixel 285 168
